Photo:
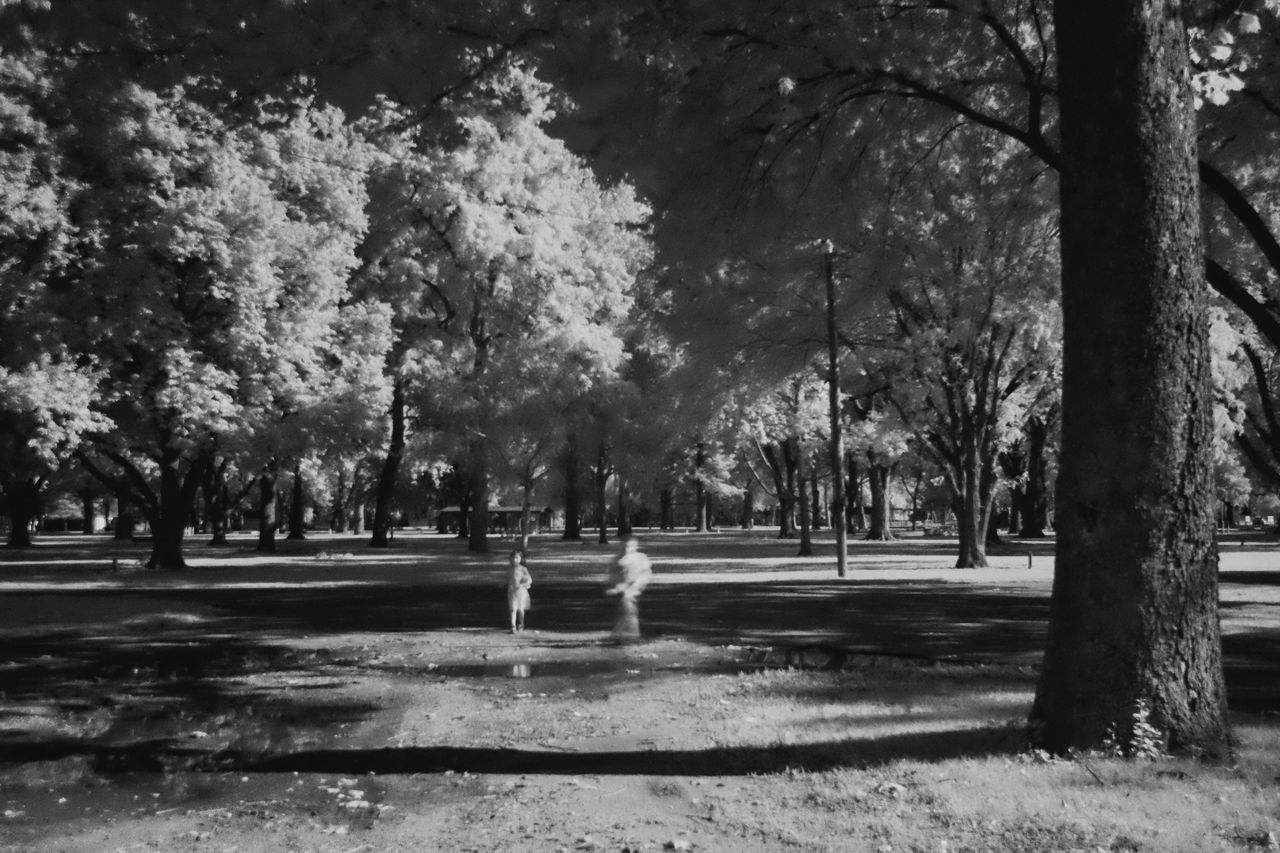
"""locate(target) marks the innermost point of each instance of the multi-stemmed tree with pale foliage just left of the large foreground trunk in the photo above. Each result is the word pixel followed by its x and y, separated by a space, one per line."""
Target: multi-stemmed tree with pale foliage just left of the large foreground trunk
pixel 976 348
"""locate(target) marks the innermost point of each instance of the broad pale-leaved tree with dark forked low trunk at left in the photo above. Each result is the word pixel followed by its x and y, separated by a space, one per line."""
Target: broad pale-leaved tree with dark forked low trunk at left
pixel 214 263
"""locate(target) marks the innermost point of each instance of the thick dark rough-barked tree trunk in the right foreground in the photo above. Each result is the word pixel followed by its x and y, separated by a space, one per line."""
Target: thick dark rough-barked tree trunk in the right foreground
pixel 1133 618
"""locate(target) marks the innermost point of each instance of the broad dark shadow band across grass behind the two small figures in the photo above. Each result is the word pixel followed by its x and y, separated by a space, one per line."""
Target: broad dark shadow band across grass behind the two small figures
pixel 918 619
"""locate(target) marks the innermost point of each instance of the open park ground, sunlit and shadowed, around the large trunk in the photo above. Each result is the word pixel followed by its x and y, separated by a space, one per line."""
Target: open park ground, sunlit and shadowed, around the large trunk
pixel 340 699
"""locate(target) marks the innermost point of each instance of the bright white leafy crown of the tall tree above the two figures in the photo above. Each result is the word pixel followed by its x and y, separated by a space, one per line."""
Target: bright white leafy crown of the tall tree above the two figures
pixel 510 267
